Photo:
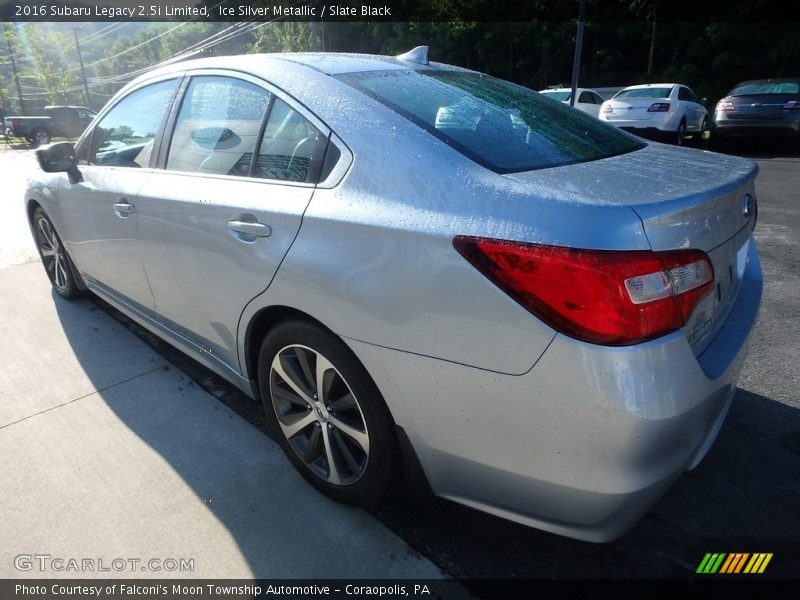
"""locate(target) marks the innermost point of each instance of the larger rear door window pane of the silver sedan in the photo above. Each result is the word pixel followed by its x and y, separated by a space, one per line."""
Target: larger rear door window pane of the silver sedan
pixel 217 126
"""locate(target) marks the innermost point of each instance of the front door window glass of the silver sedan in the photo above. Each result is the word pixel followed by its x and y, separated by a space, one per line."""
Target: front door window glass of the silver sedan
pixel 124 137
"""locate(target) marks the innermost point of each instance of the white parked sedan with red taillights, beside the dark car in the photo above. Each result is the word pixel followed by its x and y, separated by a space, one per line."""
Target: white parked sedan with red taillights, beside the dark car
pixel 665 111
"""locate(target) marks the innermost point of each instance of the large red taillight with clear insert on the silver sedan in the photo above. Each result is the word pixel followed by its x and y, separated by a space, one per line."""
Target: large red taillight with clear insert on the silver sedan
pixel 615 298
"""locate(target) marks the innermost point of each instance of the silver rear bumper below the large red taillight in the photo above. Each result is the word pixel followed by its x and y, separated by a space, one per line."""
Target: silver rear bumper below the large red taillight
pixel 585 442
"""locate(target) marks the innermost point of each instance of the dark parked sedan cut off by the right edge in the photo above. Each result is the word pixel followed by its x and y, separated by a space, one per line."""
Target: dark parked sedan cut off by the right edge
pixel 762 108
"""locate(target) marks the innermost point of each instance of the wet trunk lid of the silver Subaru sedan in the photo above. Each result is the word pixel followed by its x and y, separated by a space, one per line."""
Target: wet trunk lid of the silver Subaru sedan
pixel 684 199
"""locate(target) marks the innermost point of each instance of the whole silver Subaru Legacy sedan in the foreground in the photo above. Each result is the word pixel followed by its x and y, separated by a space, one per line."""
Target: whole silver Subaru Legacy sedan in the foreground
pixel 420 268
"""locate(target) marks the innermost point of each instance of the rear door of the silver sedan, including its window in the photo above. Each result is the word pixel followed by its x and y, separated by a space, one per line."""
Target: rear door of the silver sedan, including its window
pixel 216 222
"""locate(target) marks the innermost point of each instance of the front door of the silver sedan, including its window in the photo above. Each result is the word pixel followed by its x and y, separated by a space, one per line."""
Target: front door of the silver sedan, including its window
pixel 98 214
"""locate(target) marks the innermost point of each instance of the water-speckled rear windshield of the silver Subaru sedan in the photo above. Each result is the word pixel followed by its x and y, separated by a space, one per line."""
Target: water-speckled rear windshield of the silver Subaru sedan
pixel 504 127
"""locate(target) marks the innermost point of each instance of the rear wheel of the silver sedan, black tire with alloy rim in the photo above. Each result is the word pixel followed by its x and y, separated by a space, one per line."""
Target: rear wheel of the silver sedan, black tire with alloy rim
pixel 327 414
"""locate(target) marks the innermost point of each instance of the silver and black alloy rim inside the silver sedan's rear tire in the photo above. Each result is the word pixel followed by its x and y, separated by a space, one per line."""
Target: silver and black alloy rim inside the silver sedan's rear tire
pixel 319 415
